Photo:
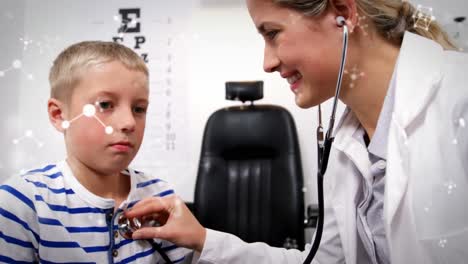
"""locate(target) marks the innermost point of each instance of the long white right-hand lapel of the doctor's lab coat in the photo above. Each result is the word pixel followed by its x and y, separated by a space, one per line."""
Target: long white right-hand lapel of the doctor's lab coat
pixel 418 78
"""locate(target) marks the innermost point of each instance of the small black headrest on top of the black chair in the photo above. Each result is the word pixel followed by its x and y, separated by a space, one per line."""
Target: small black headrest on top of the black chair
pixel 244 91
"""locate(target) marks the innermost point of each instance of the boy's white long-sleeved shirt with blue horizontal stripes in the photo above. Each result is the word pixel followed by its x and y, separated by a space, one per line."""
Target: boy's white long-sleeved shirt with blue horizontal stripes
pixel 47 216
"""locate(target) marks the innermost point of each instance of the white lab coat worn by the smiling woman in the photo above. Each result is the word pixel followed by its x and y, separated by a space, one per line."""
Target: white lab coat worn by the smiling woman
pixel 426 192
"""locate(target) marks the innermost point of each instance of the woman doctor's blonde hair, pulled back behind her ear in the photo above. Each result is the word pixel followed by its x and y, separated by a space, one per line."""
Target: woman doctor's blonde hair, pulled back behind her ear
pixel 391 18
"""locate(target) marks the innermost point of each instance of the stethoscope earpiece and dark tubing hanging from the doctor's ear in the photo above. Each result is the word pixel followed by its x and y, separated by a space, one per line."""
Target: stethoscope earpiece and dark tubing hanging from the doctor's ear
pixel 324 146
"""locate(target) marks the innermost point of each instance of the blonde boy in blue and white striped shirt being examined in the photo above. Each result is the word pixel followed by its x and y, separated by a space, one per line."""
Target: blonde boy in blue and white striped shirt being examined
pixel 69 211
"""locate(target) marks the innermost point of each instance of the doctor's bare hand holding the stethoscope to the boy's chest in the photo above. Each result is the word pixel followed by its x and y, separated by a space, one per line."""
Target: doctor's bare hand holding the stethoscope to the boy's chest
pixel 178 225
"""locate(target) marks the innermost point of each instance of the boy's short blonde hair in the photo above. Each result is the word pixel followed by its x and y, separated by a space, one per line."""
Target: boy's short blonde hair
pixel 72 63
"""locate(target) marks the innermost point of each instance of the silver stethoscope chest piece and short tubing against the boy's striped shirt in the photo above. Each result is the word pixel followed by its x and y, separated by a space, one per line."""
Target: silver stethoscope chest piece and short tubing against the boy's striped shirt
pixel 127 226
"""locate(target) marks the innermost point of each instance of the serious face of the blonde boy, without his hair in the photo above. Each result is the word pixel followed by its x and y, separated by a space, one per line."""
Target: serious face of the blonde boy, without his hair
pixel 120 97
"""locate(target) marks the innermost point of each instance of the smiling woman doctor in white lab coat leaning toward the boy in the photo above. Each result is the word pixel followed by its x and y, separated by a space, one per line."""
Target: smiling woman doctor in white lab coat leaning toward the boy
pixel 396 187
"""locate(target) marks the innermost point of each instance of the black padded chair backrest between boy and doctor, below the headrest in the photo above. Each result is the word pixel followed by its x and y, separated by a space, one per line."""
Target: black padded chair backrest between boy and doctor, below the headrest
pixel 249 180
